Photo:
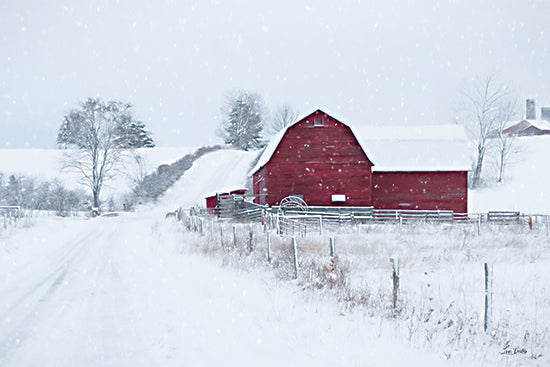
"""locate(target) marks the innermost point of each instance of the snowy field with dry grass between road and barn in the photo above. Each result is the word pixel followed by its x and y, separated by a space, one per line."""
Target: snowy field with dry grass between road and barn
pixel 441 297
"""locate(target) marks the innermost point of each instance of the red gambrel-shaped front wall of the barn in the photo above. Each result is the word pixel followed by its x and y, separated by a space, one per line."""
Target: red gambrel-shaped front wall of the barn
pixel 317 162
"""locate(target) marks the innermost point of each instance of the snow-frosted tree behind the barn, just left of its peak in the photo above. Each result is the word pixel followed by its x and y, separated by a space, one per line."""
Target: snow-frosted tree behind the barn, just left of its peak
pixel 243 119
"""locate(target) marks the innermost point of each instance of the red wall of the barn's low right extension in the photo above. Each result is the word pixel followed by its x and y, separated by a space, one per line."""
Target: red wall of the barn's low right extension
pixel 421 190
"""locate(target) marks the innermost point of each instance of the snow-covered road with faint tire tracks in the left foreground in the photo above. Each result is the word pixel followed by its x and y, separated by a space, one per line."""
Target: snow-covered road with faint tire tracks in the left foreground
pixel 122 292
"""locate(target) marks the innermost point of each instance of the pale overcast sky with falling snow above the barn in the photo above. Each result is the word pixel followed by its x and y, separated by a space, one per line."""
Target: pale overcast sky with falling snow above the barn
pixel 368 62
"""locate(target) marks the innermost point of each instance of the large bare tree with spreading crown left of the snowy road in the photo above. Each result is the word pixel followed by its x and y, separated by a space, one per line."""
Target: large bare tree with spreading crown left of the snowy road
pixel 99 134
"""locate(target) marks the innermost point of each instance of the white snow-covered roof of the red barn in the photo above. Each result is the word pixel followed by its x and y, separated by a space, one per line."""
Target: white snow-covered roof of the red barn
pixel 401 148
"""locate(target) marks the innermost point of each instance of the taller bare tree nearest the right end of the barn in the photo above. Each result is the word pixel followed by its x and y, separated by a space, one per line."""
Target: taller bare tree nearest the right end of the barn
pixel 485 102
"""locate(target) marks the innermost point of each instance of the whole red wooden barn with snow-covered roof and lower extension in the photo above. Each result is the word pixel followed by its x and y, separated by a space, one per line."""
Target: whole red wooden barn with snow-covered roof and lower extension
pixel 329 163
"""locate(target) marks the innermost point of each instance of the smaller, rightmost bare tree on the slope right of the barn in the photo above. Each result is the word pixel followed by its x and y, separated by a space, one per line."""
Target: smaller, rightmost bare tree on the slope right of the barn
pixel 505 142
